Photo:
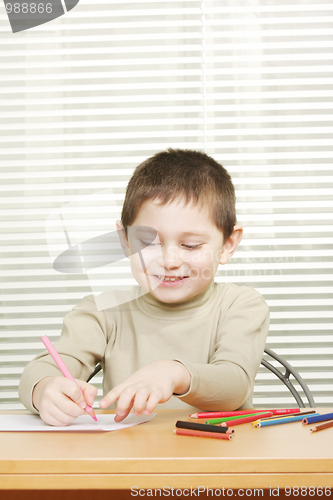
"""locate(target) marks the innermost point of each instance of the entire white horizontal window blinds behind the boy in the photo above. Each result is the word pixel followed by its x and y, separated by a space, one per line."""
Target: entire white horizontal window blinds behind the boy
pixel 88 96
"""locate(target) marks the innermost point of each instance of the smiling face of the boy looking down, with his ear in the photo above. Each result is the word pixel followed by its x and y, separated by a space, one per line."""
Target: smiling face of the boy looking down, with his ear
pixel 183 257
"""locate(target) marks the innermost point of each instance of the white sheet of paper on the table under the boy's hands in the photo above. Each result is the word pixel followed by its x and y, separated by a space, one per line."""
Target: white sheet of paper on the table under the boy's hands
pixel 23 423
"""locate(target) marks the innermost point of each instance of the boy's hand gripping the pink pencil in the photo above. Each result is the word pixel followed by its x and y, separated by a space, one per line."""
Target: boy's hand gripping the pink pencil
pixel 60 401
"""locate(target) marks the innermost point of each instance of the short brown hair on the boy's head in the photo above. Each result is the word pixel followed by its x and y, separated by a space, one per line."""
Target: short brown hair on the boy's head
pixel 188 174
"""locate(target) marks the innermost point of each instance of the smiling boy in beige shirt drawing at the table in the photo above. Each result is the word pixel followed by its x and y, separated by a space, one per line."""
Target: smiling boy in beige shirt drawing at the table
pixel 186 340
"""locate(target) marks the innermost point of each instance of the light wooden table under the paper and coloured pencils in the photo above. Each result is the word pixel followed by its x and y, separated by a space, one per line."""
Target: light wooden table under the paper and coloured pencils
pixel 152 456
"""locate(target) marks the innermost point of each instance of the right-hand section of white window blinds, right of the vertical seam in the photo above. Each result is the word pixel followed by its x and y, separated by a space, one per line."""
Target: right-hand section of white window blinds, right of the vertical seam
pixel 268 102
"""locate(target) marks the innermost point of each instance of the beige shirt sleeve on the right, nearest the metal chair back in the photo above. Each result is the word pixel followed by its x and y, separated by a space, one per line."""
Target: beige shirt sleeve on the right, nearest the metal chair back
pixel 226 382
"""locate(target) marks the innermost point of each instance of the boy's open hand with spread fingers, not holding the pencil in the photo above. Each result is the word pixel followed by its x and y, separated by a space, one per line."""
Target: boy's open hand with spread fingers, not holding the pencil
pixel 153 384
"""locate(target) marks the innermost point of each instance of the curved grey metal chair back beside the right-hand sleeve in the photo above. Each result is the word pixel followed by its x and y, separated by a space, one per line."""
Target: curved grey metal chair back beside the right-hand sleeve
pixel 285 377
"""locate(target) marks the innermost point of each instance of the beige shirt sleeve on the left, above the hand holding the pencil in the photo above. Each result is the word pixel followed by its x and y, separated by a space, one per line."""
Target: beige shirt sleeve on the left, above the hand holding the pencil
pixel 81 346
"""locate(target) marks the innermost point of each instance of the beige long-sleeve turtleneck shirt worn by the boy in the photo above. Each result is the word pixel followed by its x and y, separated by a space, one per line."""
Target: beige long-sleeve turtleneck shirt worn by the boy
pixel 219 336
